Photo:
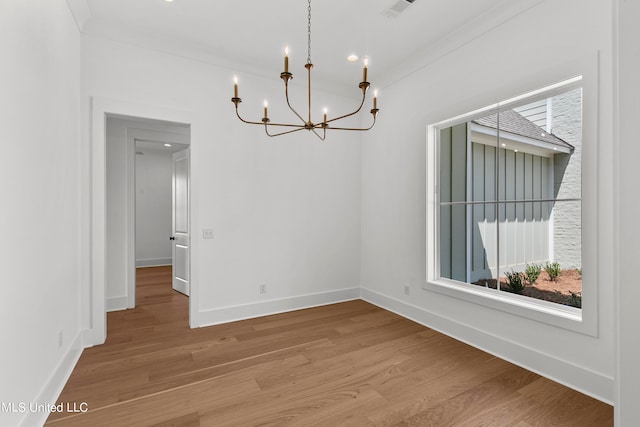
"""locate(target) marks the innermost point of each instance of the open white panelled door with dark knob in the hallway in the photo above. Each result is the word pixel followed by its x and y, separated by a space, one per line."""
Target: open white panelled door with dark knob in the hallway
pixel 180 228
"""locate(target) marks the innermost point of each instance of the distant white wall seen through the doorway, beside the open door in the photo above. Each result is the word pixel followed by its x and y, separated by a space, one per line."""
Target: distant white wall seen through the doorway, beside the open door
pixel 154 171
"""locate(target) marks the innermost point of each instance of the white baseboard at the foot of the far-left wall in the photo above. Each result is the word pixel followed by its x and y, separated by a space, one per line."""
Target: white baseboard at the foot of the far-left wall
pixel 52 389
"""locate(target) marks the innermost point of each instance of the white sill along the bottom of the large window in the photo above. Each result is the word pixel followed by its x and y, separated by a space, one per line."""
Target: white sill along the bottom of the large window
pixel 562 316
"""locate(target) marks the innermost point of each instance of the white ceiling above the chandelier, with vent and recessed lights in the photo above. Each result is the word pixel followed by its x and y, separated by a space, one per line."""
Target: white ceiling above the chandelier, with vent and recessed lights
pixel 250 35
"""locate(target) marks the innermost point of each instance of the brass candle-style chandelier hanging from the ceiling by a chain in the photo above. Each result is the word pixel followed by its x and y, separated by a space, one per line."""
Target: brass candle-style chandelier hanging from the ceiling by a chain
pixel 319 128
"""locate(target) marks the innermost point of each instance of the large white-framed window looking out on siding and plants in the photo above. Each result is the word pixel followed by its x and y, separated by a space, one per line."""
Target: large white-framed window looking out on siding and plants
pixel 506 203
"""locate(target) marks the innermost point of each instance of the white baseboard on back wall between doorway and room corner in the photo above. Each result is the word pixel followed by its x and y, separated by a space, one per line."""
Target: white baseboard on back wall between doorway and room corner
pixel 265 308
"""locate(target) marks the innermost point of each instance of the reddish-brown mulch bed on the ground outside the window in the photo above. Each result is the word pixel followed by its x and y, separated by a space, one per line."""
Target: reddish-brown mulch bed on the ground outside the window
pixel 560 291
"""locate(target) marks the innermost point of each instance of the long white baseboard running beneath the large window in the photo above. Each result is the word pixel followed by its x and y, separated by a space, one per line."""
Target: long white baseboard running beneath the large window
pixel 576 377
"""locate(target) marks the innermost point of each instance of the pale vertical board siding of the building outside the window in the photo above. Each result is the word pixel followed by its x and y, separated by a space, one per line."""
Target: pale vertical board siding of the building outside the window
pixel 523 236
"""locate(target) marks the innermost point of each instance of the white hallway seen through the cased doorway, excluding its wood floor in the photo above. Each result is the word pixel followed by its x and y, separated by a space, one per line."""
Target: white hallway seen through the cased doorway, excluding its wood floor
pixel 141 204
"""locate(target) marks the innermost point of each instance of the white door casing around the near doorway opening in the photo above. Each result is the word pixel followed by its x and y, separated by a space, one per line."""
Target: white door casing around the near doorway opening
pixel 96 333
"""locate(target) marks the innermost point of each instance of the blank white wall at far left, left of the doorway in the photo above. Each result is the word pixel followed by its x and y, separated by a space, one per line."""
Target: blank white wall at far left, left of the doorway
pixel 40 190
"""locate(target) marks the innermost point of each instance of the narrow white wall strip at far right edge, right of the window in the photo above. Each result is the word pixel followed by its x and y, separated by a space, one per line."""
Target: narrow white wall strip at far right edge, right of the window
pixel 627 204
